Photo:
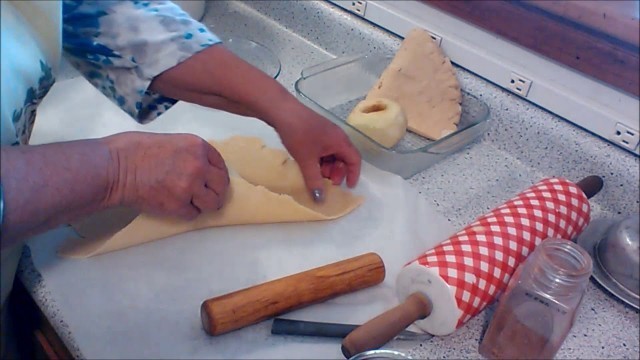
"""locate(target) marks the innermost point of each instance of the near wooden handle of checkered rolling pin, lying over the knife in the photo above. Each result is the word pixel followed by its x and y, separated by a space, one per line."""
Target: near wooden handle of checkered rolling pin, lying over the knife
pixel 384 327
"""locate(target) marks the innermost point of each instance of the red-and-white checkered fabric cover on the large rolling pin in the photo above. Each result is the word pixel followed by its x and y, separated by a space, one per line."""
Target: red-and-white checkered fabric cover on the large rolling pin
pixel 479 260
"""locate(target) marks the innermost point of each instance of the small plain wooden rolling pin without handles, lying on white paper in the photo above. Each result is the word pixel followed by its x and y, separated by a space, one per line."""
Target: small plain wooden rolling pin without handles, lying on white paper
pixel 251 305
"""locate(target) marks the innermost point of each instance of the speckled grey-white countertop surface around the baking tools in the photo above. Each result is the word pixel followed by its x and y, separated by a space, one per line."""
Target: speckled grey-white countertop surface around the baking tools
pixel 523 145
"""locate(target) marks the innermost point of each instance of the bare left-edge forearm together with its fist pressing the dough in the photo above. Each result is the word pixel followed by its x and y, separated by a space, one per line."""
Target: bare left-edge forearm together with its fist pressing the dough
pixel 48 185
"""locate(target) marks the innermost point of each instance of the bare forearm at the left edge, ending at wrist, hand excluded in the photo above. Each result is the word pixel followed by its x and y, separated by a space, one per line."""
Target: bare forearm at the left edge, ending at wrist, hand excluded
pixel 46 185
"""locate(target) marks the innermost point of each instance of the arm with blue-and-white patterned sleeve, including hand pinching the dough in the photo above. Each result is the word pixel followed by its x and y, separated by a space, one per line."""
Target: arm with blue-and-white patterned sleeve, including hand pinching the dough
pixel 177 57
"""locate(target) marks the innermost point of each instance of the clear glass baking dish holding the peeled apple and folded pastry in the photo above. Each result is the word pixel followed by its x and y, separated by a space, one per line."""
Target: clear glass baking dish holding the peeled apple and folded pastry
pixel 333 88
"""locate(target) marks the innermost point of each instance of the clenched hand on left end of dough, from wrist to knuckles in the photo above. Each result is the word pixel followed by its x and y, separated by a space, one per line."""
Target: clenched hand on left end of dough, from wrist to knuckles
pixel 178 175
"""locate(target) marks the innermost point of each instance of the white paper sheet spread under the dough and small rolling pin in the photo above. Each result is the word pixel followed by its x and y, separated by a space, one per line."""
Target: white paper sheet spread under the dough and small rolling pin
pixel 143 302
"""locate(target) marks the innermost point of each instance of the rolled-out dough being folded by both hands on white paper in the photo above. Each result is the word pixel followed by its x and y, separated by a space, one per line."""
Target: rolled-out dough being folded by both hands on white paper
pixel 267 187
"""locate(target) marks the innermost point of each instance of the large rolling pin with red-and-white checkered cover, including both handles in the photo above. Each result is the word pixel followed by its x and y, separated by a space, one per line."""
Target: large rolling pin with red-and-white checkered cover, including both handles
pixel 551 208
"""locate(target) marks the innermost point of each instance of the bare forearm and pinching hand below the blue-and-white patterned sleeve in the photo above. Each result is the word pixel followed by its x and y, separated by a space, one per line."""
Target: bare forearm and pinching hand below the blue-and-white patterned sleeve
pixel 215 77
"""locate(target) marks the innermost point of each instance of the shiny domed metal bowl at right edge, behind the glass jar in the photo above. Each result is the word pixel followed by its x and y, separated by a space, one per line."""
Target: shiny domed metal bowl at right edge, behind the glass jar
pixel 618 254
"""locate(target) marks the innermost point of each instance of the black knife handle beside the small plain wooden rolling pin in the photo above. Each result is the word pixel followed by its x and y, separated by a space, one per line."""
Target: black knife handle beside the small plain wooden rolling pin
pixel 310 328
